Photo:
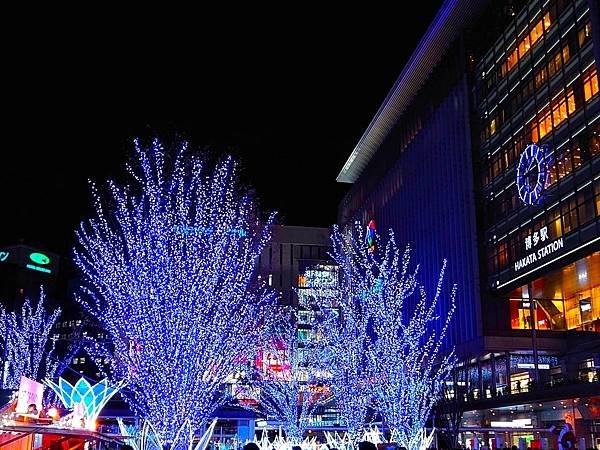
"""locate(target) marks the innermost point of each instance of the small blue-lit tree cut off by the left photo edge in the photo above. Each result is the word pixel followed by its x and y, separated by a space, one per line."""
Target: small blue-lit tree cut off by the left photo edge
pixel 27 348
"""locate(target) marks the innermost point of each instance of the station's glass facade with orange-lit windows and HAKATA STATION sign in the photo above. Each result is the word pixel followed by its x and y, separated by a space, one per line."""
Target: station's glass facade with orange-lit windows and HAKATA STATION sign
pixel 539 85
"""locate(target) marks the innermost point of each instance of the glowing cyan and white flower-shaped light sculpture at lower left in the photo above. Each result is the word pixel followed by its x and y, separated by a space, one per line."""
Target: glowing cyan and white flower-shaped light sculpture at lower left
pixel 93 397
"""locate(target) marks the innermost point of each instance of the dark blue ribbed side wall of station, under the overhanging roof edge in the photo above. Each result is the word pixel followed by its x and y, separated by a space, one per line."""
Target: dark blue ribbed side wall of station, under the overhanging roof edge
pixel 427 198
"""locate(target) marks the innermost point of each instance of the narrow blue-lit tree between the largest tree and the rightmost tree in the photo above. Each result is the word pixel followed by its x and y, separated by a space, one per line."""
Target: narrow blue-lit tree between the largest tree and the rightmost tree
pixel 346 338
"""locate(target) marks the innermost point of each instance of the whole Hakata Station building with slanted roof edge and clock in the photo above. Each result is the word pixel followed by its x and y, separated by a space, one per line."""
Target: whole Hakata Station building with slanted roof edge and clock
pixel 486 151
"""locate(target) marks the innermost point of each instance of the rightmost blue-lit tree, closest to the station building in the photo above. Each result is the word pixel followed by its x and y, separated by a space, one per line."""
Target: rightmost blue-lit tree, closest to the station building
pixel 409 370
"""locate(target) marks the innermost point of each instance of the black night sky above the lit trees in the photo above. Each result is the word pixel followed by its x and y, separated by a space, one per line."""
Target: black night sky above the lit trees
pixel 290 100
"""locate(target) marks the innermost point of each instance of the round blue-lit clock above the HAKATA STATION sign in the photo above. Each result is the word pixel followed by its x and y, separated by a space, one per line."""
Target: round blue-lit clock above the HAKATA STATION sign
pixel 532 174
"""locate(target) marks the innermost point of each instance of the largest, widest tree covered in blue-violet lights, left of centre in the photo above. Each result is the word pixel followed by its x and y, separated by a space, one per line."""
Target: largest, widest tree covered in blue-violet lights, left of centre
pixel 169 267
